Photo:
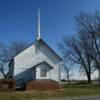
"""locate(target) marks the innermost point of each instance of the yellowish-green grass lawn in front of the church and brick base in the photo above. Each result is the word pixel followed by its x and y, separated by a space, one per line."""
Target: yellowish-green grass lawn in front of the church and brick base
pixel 67 91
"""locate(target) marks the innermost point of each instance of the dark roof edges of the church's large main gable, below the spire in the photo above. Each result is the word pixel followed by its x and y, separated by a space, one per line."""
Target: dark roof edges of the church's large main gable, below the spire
pixel 41 41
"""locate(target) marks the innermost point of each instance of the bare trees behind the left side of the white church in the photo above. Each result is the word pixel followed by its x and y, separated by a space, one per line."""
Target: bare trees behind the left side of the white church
pixel 8 52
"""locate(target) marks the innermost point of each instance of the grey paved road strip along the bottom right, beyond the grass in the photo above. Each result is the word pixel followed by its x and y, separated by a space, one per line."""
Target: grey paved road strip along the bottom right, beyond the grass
pixel 79 98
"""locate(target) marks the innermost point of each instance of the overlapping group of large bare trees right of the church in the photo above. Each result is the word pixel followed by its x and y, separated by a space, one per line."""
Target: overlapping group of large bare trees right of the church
pixel 83 48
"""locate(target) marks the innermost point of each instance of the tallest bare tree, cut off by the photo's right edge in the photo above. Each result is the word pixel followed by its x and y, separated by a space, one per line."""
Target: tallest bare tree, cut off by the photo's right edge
pixel 90 24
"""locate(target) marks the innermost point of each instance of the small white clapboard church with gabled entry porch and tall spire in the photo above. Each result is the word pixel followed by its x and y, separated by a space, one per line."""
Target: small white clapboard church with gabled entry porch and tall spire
pixel 38 61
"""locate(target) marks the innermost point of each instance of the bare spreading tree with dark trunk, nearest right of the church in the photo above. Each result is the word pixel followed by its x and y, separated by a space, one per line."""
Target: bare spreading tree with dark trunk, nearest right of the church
pixel 78 51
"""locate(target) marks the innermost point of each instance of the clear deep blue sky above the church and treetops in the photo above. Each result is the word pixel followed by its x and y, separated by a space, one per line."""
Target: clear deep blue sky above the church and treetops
pixel 18 18
